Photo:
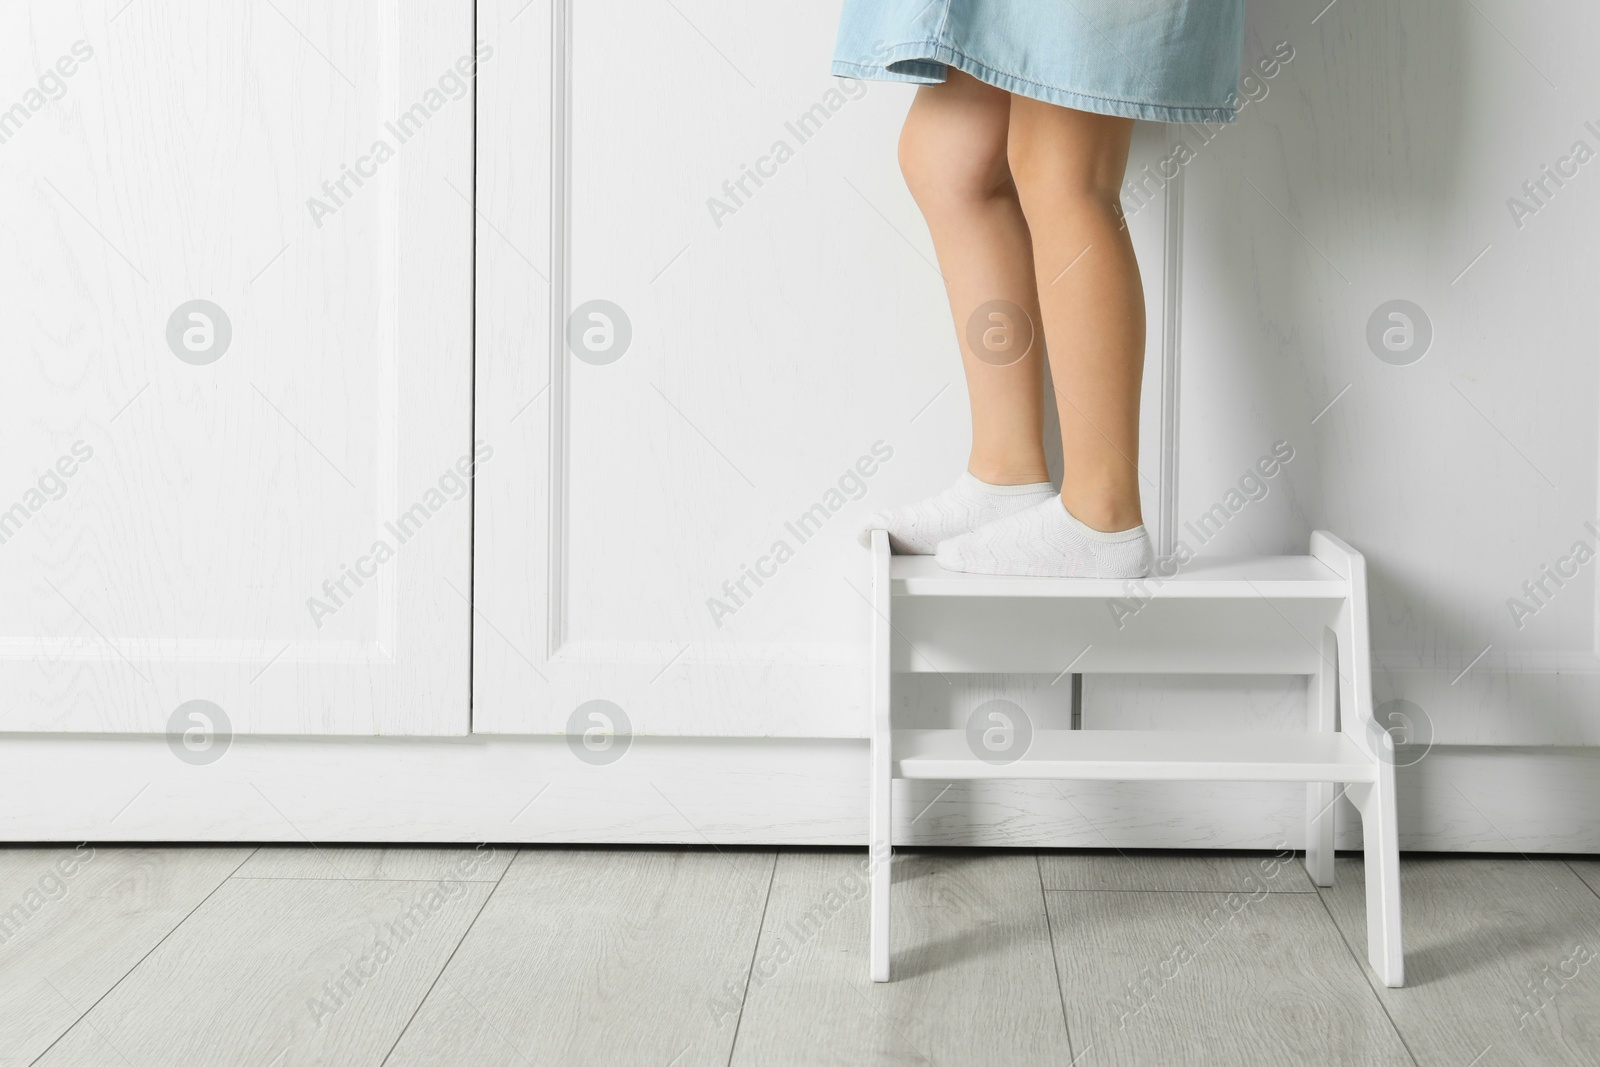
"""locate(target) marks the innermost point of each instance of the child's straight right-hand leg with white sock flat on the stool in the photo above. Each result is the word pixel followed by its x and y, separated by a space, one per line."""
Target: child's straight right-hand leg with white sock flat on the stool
pixel 1068 167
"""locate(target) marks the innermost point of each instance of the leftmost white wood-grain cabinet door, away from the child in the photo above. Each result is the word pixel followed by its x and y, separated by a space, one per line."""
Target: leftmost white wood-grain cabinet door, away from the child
pixel 238 364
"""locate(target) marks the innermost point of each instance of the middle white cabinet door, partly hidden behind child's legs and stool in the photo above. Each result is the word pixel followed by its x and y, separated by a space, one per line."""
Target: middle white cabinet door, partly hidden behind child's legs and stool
pixel 711 343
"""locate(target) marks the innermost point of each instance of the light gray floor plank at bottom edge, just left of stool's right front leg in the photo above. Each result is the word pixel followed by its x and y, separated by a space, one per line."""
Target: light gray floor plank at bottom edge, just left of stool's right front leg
pixel 1214 978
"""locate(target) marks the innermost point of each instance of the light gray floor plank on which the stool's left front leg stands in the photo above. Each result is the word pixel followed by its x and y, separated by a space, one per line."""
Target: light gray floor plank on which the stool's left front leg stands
pixel 975 981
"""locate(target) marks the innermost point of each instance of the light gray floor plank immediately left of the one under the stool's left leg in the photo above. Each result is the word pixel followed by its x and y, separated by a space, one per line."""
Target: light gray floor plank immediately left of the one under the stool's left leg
pixel 598 957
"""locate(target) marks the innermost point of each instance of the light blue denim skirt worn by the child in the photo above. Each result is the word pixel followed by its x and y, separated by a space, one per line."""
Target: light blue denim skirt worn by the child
pixel 1164 60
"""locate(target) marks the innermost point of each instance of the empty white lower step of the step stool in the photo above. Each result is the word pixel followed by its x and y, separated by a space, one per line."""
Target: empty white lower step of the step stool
pixel 1134 756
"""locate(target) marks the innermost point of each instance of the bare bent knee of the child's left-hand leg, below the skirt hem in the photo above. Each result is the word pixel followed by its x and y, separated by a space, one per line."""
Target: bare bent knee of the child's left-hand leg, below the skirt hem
pixel 953 150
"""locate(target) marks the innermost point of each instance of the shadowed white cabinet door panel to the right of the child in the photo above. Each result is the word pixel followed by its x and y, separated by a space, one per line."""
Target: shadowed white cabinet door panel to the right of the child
pixel 1378 167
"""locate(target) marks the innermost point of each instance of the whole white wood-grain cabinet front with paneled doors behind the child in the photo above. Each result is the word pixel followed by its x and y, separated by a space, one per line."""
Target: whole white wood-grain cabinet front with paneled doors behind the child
pixel 690 334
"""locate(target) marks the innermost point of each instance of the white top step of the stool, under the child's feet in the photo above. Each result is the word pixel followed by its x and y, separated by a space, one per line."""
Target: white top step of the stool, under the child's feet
pixel 1274 577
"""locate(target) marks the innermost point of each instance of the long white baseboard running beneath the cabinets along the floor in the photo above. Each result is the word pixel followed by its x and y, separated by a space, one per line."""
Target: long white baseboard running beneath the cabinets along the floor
pixel 730 793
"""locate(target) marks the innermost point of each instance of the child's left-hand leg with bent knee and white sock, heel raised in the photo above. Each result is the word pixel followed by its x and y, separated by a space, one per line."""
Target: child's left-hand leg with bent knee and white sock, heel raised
pixel 953 153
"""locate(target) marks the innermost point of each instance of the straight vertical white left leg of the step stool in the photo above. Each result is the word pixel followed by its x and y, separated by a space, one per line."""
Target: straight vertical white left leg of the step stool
pixel 881 773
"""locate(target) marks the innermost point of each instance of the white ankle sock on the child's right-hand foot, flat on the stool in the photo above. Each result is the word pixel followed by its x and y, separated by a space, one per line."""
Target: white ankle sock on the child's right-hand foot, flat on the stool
pixel 1047 541
